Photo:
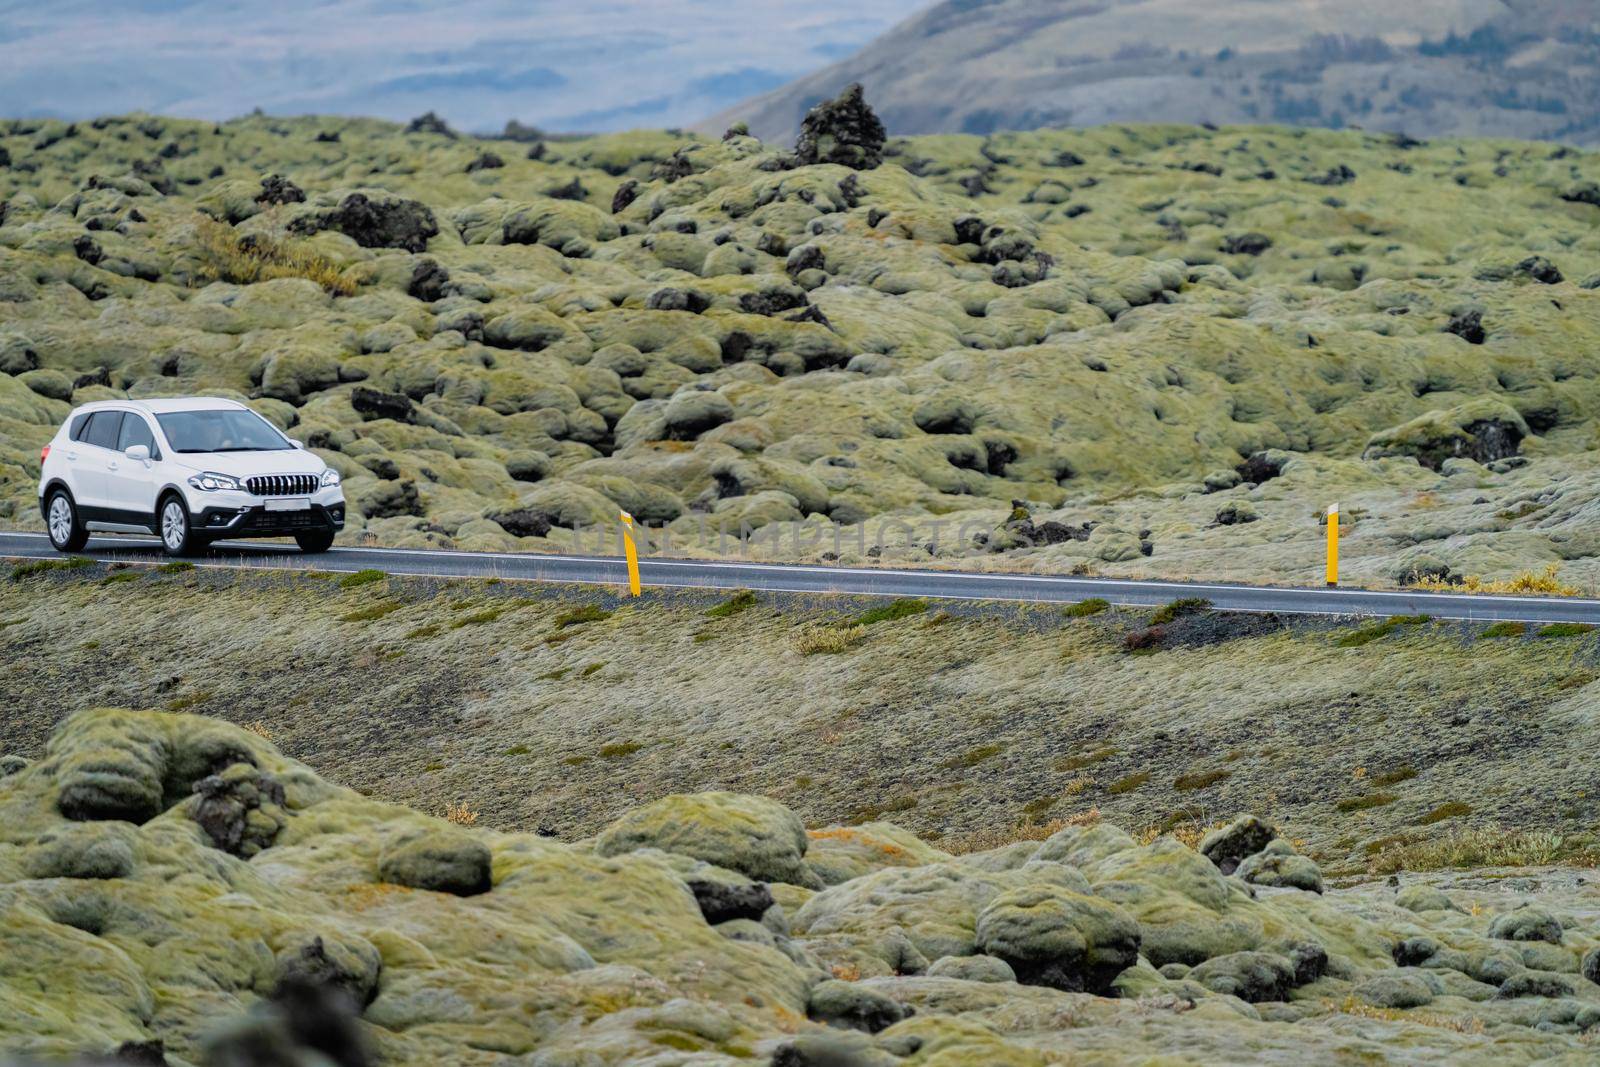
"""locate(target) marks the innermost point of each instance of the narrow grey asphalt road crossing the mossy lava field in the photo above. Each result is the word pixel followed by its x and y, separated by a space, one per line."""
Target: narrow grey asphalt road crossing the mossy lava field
pixel 838 580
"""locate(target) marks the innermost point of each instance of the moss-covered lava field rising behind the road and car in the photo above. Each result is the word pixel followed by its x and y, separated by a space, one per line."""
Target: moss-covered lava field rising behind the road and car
pixel 1172 348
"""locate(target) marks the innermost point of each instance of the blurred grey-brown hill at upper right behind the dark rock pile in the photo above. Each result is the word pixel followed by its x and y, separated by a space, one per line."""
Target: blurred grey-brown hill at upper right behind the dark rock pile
pixel 1434 68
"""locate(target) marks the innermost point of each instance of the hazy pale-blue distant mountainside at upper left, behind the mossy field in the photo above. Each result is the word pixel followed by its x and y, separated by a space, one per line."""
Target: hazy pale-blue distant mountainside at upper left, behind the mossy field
pixel 594 66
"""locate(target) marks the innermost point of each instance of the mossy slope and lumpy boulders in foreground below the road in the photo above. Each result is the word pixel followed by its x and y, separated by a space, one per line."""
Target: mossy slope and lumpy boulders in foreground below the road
pixel 177 890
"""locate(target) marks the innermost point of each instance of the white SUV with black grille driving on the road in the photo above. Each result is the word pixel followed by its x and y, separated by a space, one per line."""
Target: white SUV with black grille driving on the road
pixel 190 471
